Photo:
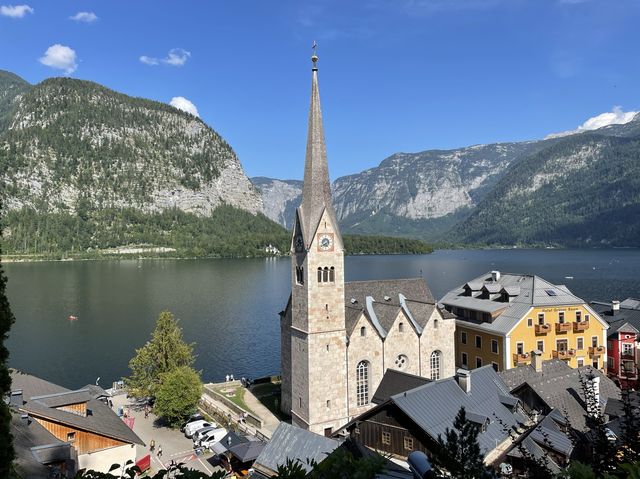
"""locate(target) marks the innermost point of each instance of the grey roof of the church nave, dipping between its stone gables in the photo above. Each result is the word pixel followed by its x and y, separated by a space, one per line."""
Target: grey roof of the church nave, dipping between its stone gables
pixel 382 300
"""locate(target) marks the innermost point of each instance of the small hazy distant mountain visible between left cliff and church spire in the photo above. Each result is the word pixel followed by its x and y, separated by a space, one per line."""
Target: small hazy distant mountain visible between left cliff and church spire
pixel 280 198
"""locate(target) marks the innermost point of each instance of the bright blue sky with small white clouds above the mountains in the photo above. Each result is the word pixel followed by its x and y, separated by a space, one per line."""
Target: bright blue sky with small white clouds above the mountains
pixel 395 75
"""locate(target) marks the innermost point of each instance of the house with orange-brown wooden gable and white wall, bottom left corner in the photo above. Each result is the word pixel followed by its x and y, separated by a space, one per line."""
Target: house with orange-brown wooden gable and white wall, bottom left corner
pixel 66 430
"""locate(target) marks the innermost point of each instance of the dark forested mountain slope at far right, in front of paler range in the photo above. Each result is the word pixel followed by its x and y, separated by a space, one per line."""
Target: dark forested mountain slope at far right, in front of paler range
pixel 581 191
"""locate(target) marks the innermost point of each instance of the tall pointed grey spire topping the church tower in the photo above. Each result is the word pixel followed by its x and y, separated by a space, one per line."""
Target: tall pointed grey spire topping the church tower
pixel 316 192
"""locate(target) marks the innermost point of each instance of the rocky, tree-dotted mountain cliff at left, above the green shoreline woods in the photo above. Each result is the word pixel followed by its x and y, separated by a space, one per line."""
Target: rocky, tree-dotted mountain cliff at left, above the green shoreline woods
pixel 74 145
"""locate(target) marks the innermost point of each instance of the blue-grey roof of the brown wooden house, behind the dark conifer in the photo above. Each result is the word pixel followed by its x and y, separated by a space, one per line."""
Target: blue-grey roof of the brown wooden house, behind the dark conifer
pixel 434 406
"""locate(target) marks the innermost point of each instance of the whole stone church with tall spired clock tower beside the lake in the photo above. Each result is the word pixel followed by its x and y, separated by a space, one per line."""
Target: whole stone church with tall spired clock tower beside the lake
pixel 337 338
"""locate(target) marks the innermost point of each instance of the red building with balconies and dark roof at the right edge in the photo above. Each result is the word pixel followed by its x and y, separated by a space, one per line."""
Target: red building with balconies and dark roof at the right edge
pixel 623 339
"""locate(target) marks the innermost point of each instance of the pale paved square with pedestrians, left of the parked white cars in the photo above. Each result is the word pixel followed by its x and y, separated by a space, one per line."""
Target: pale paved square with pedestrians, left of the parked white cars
pixel 175 446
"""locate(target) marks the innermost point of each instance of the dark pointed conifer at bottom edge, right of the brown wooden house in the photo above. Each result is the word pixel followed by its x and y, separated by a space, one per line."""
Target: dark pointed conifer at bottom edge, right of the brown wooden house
pixel 459 453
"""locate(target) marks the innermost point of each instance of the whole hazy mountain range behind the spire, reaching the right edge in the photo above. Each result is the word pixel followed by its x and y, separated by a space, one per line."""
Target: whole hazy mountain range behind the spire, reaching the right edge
pixel 576 190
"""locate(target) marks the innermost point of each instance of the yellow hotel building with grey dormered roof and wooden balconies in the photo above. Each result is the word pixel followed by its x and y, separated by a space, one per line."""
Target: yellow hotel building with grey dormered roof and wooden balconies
pixel 502 318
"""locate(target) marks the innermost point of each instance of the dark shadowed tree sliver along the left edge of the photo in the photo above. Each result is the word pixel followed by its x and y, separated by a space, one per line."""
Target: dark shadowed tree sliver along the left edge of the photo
pixel 7 453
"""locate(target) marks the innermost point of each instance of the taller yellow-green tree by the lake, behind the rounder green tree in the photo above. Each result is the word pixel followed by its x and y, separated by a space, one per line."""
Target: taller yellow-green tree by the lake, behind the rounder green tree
pixel 165 352
